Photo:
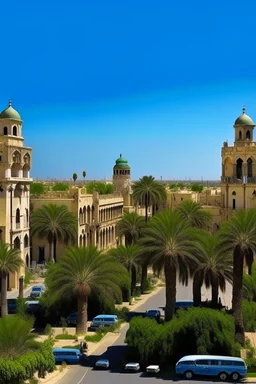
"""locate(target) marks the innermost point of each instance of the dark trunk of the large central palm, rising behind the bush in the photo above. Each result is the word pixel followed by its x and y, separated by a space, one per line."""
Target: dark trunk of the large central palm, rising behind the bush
pixel 170 287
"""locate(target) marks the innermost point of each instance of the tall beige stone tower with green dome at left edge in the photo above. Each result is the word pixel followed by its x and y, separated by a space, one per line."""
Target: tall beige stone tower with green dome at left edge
pixel 15 164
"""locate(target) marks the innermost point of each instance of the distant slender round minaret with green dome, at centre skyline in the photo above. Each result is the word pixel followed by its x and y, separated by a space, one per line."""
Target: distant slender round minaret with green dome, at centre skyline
pixel 122 179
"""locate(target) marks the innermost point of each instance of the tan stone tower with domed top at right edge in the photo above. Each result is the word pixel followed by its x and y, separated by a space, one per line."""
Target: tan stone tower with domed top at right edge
pixel 238 180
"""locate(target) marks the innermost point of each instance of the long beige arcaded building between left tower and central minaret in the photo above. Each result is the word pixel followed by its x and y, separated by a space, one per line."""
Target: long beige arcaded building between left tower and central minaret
pixel 97 216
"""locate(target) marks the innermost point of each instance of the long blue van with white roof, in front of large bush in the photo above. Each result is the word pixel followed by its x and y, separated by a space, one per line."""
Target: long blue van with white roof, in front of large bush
pixel 224 367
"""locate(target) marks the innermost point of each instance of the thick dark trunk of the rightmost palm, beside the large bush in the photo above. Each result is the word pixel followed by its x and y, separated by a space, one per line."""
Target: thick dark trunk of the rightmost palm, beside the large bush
pixel 238 262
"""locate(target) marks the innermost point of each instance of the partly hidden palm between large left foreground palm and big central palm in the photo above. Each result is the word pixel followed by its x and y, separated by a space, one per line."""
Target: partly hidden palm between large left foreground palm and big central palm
pixel 129 257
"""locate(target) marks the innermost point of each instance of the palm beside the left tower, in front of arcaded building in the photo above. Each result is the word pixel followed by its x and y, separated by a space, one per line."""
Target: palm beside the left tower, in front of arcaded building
pixel 54 223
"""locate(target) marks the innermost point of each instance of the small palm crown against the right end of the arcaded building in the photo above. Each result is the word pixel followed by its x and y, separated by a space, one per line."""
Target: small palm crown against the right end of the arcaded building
pixel 131 226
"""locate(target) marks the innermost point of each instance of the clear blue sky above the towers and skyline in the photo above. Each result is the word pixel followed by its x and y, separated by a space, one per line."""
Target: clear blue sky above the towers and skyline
pixel 159 81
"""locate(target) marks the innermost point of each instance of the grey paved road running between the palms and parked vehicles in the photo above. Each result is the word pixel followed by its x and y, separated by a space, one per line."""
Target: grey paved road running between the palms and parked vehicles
pixel 115 352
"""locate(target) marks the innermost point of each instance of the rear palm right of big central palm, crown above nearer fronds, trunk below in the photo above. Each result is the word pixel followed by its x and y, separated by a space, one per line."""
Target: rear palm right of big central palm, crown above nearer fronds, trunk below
pixel 197 218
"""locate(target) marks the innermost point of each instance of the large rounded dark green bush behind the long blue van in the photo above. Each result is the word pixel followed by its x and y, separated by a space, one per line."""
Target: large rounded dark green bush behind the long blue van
pixel 190 332
